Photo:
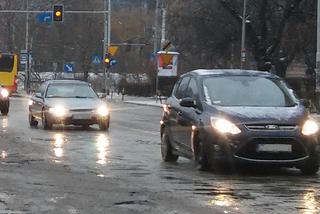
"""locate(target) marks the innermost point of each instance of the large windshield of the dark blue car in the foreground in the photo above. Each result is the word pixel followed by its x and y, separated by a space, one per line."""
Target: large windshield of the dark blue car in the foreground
pixel 247 91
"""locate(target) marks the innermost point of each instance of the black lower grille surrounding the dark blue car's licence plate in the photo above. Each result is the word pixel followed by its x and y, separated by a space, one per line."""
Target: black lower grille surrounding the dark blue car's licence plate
pixel 249 150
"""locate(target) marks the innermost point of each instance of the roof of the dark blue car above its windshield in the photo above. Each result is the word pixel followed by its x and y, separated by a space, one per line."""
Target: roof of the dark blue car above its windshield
pixel 231 72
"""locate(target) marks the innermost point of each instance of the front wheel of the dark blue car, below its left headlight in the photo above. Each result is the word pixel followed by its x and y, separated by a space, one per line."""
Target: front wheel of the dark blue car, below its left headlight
pixel 200 156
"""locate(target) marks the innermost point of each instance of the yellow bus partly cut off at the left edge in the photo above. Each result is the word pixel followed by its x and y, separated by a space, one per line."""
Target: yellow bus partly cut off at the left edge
pixel 8 71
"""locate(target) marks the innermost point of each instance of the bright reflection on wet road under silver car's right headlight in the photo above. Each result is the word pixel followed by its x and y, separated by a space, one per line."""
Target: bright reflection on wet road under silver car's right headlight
pixel 102 146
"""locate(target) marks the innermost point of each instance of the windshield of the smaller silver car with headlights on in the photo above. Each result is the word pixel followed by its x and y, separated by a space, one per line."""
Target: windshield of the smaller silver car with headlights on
pixel 70 91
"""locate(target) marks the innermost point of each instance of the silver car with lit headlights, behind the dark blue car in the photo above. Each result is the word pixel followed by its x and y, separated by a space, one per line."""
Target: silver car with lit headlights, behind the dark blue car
pixel 68 102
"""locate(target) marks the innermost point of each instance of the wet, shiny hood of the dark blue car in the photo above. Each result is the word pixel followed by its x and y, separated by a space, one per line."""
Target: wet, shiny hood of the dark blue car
pixel 264 115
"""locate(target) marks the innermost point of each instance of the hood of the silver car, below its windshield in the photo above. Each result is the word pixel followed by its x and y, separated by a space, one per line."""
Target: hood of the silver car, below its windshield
pixel 75 103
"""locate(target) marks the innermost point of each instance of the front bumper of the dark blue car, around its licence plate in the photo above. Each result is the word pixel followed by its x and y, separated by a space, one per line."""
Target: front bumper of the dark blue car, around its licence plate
pixel 245 148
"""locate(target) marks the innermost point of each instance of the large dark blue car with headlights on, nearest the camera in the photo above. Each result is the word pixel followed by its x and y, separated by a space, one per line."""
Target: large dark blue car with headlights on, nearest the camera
pixel 237 116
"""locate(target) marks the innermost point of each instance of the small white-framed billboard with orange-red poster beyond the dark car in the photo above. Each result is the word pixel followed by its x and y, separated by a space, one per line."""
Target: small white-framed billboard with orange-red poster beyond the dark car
pixel 167 63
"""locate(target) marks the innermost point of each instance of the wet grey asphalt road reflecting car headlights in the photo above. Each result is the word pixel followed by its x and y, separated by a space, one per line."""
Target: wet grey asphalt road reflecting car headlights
pixel 71 170
